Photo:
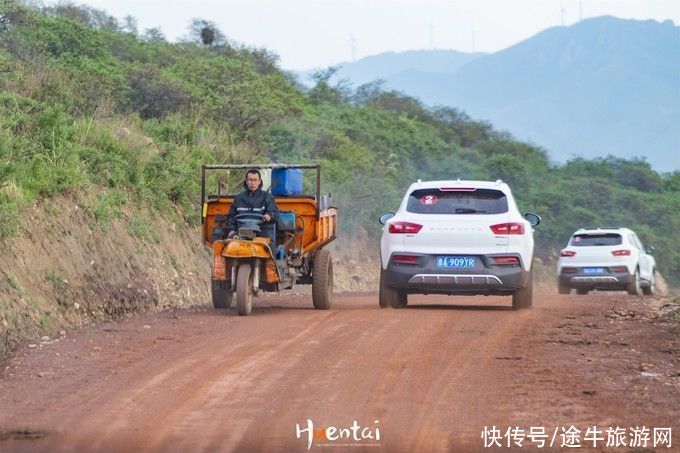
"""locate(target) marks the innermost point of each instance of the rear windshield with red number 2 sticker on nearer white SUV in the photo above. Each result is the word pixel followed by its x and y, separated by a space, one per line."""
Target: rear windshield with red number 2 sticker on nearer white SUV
pixel 435 201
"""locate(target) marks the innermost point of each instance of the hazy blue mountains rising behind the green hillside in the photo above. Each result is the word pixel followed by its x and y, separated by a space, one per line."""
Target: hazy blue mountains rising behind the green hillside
pixel 601 86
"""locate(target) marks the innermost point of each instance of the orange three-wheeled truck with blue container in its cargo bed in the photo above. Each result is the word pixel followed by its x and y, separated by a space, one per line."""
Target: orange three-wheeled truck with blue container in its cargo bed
pixel 251 262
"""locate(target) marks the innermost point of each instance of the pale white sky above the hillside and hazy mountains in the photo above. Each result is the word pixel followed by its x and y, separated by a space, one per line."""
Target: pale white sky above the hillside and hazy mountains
pixel 319 33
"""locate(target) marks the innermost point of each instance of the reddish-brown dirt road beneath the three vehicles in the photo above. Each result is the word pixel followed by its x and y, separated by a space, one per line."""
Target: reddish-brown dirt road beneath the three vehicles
pixel 429 377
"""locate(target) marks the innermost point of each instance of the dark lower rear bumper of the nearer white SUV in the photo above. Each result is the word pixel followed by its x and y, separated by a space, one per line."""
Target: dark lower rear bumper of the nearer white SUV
pixel 425 277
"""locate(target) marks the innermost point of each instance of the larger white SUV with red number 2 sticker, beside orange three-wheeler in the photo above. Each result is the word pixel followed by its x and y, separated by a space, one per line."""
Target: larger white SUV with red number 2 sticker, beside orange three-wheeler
pixel 457 237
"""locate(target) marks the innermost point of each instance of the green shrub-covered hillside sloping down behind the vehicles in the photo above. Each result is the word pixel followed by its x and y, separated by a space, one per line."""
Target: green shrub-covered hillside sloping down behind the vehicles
pixel 87 104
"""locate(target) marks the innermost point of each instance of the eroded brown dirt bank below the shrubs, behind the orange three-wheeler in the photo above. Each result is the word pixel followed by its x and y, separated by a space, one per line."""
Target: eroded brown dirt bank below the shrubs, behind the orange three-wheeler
pixel 68 268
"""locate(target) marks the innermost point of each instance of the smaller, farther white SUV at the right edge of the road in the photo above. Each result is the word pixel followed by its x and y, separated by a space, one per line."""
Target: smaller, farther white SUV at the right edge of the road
pixel 606 259
